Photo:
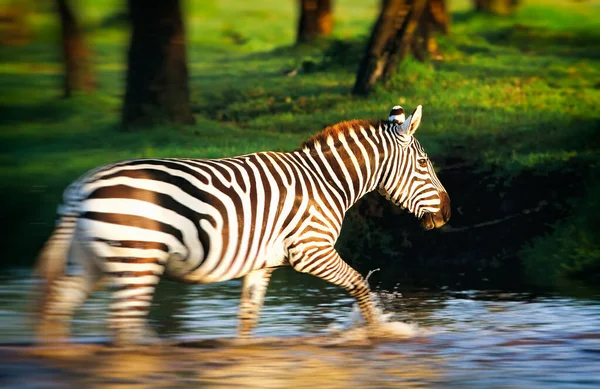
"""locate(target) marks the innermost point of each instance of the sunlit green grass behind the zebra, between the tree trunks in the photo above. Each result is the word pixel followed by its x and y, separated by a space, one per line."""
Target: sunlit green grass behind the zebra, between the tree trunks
pixel 517 92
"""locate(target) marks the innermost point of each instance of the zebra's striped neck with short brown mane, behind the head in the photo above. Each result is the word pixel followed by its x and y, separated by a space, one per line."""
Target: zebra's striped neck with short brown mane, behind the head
pixel 352 160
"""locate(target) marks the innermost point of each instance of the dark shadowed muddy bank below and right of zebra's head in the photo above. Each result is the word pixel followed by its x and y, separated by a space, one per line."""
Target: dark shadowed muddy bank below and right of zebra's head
pixel 493 217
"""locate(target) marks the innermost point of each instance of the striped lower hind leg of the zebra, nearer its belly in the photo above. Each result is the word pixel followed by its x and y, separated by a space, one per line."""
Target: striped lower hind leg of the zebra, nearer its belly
pixel 134 281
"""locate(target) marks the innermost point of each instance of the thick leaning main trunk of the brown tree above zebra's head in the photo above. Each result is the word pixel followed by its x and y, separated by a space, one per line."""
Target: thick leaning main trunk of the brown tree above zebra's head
pixel 392 36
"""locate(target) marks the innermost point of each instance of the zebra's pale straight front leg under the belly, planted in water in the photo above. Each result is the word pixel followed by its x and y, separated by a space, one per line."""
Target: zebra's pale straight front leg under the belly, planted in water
pixel 254 288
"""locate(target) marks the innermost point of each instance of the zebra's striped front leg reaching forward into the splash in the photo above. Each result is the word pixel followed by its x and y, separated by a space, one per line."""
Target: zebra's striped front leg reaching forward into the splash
pixel 326 263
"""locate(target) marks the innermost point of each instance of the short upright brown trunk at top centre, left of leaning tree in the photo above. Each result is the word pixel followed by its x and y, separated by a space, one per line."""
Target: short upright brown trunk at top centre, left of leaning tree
pixel 315 20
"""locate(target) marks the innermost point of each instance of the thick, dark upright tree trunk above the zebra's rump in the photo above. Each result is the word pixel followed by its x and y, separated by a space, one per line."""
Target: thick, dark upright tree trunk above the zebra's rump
pixel 157 74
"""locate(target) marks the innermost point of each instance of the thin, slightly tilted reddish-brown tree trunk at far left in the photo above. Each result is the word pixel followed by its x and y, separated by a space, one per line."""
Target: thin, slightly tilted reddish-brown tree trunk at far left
pixel 76 55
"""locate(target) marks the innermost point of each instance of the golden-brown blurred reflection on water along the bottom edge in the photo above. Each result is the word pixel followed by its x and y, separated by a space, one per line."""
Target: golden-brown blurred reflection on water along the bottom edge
pixel 298 366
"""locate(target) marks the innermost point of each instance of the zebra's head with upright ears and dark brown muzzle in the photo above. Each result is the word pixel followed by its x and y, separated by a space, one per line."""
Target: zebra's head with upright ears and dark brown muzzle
pixel 410 180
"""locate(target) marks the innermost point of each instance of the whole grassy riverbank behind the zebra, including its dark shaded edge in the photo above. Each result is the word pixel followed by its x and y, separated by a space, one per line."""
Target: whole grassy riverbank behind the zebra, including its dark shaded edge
pixel 512 102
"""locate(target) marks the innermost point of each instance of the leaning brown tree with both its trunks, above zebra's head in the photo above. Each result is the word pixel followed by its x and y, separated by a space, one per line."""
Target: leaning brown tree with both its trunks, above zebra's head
pixel 401 25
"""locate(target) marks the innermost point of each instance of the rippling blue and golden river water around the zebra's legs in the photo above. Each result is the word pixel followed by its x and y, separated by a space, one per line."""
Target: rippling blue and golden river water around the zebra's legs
pixel 472 339
